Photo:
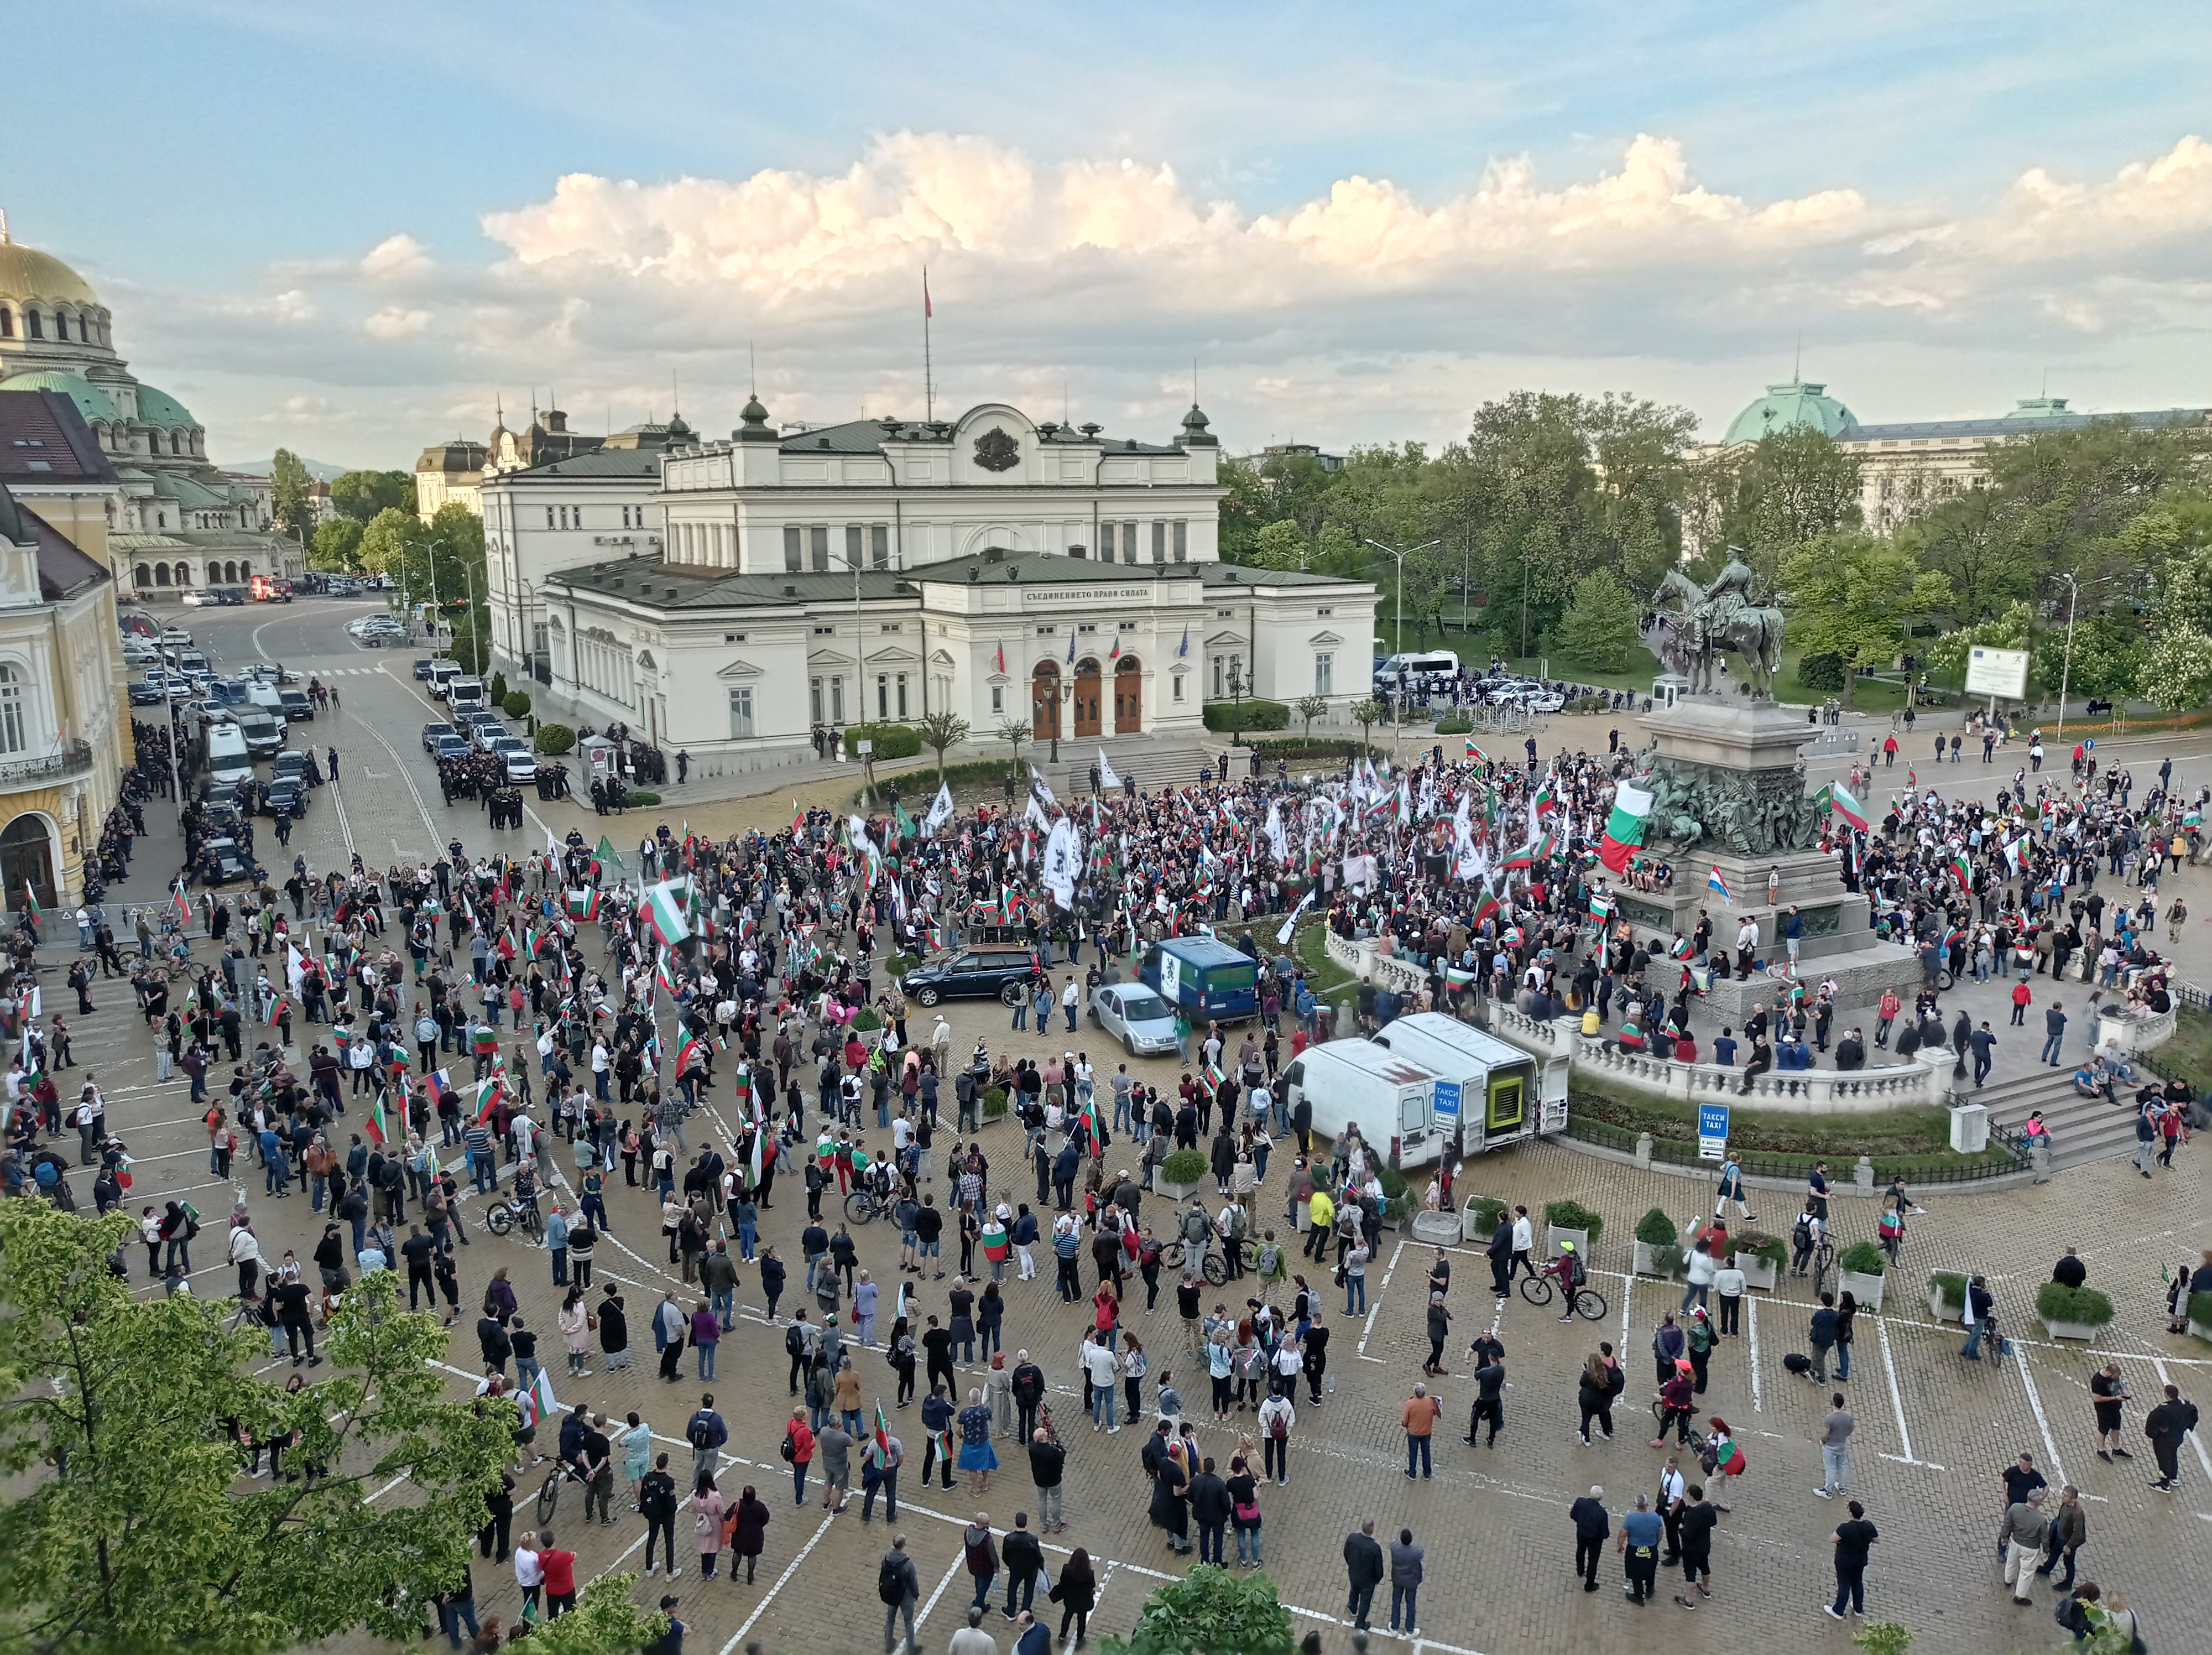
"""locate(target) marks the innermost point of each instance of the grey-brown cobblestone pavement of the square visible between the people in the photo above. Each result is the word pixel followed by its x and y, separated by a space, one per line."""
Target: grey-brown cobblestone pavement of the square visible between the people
pixel 1932 1428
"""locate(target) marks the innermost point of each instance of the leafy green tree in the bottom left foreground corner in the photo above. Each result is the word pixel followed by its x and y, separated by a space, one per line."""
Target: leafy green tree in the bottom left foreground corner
pixel 143 1541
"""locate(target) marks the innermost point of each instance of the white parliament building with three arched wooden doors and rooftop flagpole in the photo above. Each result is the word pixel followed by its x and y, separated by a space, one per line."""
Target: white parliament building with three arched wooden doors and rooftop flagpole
pixel 733 596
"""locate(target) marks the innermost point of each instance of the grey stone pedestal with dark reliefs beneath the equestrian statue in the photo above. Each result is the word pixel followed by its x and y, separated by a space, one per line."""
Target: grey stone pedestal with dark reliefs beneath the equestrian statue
pixel 1729 767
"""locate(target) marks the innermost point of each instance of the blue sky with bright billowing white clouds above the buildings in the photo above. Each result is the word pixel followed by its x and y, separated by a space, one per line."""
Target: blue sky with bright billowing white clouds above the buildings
pixel 355 231
